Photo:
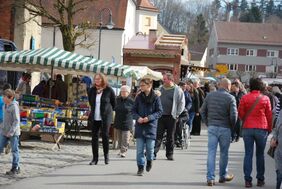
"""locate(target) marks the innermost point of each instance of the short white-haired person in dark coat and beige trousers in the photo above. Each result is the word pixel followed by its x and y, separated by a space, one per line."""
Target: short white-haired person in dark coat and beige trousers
pixel 123 119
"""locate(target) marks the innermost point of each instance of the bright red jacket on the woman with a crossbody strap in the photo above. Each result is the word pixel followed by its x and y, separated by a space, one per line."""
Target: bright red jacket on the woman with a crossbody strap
pixel 261 115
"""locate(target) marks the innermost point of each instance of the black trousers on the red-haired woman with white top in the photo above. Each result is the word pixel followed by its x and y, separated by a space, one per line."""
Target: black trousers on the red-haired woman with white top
pixel 97 125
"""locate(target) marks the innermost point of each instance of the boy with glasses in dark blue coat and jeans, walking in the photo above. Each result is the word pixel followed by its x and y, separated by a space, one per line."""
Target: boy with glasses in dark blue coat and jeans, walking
pixel 147 110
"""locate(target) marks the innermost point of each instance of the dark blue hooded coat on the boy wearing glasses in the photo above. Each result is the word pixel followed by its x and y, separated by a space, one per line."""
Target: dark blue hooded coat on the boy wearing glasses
pixel 147 106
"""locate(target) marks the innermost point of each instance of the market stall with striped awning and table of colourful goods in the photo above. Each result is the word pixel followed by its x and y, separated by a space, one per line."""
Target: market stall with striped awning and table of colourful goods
pixel 54 60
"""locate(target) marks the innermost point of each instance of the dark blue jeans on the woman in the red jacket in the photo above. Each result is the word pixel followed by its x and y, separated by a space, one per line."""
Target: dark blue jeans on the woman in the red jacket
pixel 259 137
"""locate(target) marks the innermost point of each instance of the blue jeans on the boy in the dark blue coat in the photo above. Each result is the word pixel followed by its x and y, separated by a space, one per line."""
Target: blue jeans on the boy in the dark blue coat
pixel 142 143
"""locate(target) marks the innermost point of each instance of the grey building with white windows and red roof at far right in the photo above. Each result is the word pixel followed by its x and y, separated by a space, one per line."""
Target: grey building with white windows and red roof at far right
pixel 244 50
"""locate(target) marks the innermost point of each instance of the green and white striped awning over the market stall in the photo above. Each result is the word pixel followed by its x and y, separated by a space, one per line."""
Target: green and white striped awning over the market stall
pixel 63 62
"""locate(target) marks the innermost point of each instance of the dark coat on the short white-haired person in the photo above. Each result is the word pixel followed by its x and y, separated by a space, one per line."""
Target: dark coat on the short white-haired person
pixel 123 113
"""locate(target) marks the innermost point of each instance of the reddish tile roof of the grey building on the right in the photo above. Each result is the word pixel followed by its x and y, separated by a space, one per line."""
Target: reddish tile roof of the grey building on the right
pixel 249 33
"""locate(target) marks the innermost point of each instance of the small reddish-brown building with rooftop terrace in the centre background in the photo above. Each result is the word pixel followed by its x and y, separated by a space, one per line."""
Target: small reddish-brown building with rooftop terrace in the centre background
pixel 165 53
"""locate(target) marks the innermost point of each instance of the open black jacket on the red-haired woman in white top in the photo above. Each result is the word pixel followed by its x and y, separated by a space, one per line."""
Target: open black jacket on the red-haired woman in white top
pixel 108 103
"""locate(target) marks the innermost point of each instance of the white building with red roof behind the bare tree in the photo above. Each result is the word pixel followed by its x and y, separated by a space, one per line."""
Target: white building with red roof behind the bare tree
pixel 129 17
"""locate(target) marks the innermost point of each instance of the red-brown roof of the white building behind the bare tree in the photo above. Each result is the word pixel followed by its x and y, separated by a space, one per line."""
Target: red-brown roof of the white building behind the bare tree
pixel 118 8
